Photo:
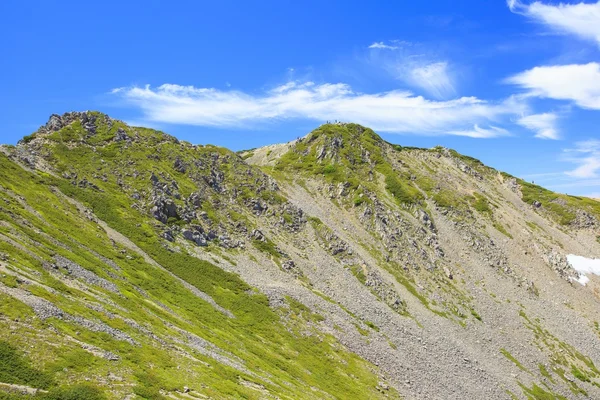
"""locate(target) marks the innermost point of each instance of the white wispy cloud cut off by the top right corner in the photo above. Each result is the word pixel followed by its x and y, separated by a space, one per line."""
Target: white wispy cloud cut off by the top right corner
pixel 582 19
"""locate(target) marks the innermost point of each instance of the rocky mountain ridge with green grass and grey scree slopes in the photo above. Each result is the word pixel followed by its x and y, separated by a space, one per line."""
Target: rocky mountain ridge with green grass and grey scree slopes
pixel 336 266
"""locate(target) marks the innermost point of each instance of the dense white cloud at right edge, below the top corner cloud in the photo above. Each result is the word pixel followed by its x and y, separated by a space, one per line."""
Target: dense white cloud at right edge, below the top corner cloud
pixel 579 83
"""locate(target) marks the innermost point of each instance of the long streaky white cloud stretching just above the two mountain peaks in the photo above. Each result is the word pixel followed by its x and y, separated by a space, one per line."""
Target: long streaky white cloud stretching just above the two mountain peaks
pixel 394 111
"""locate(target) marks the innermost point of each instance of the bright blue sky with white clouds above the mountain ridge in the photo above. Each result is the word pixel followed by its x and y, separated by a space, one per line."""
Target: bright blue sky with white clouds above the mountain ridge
pixel 515 84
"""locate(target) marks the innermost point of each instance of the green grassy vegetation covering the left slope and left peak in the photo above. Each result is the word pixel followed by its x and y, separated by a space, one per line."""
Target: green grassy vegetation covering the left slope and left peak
pixel 256 335
